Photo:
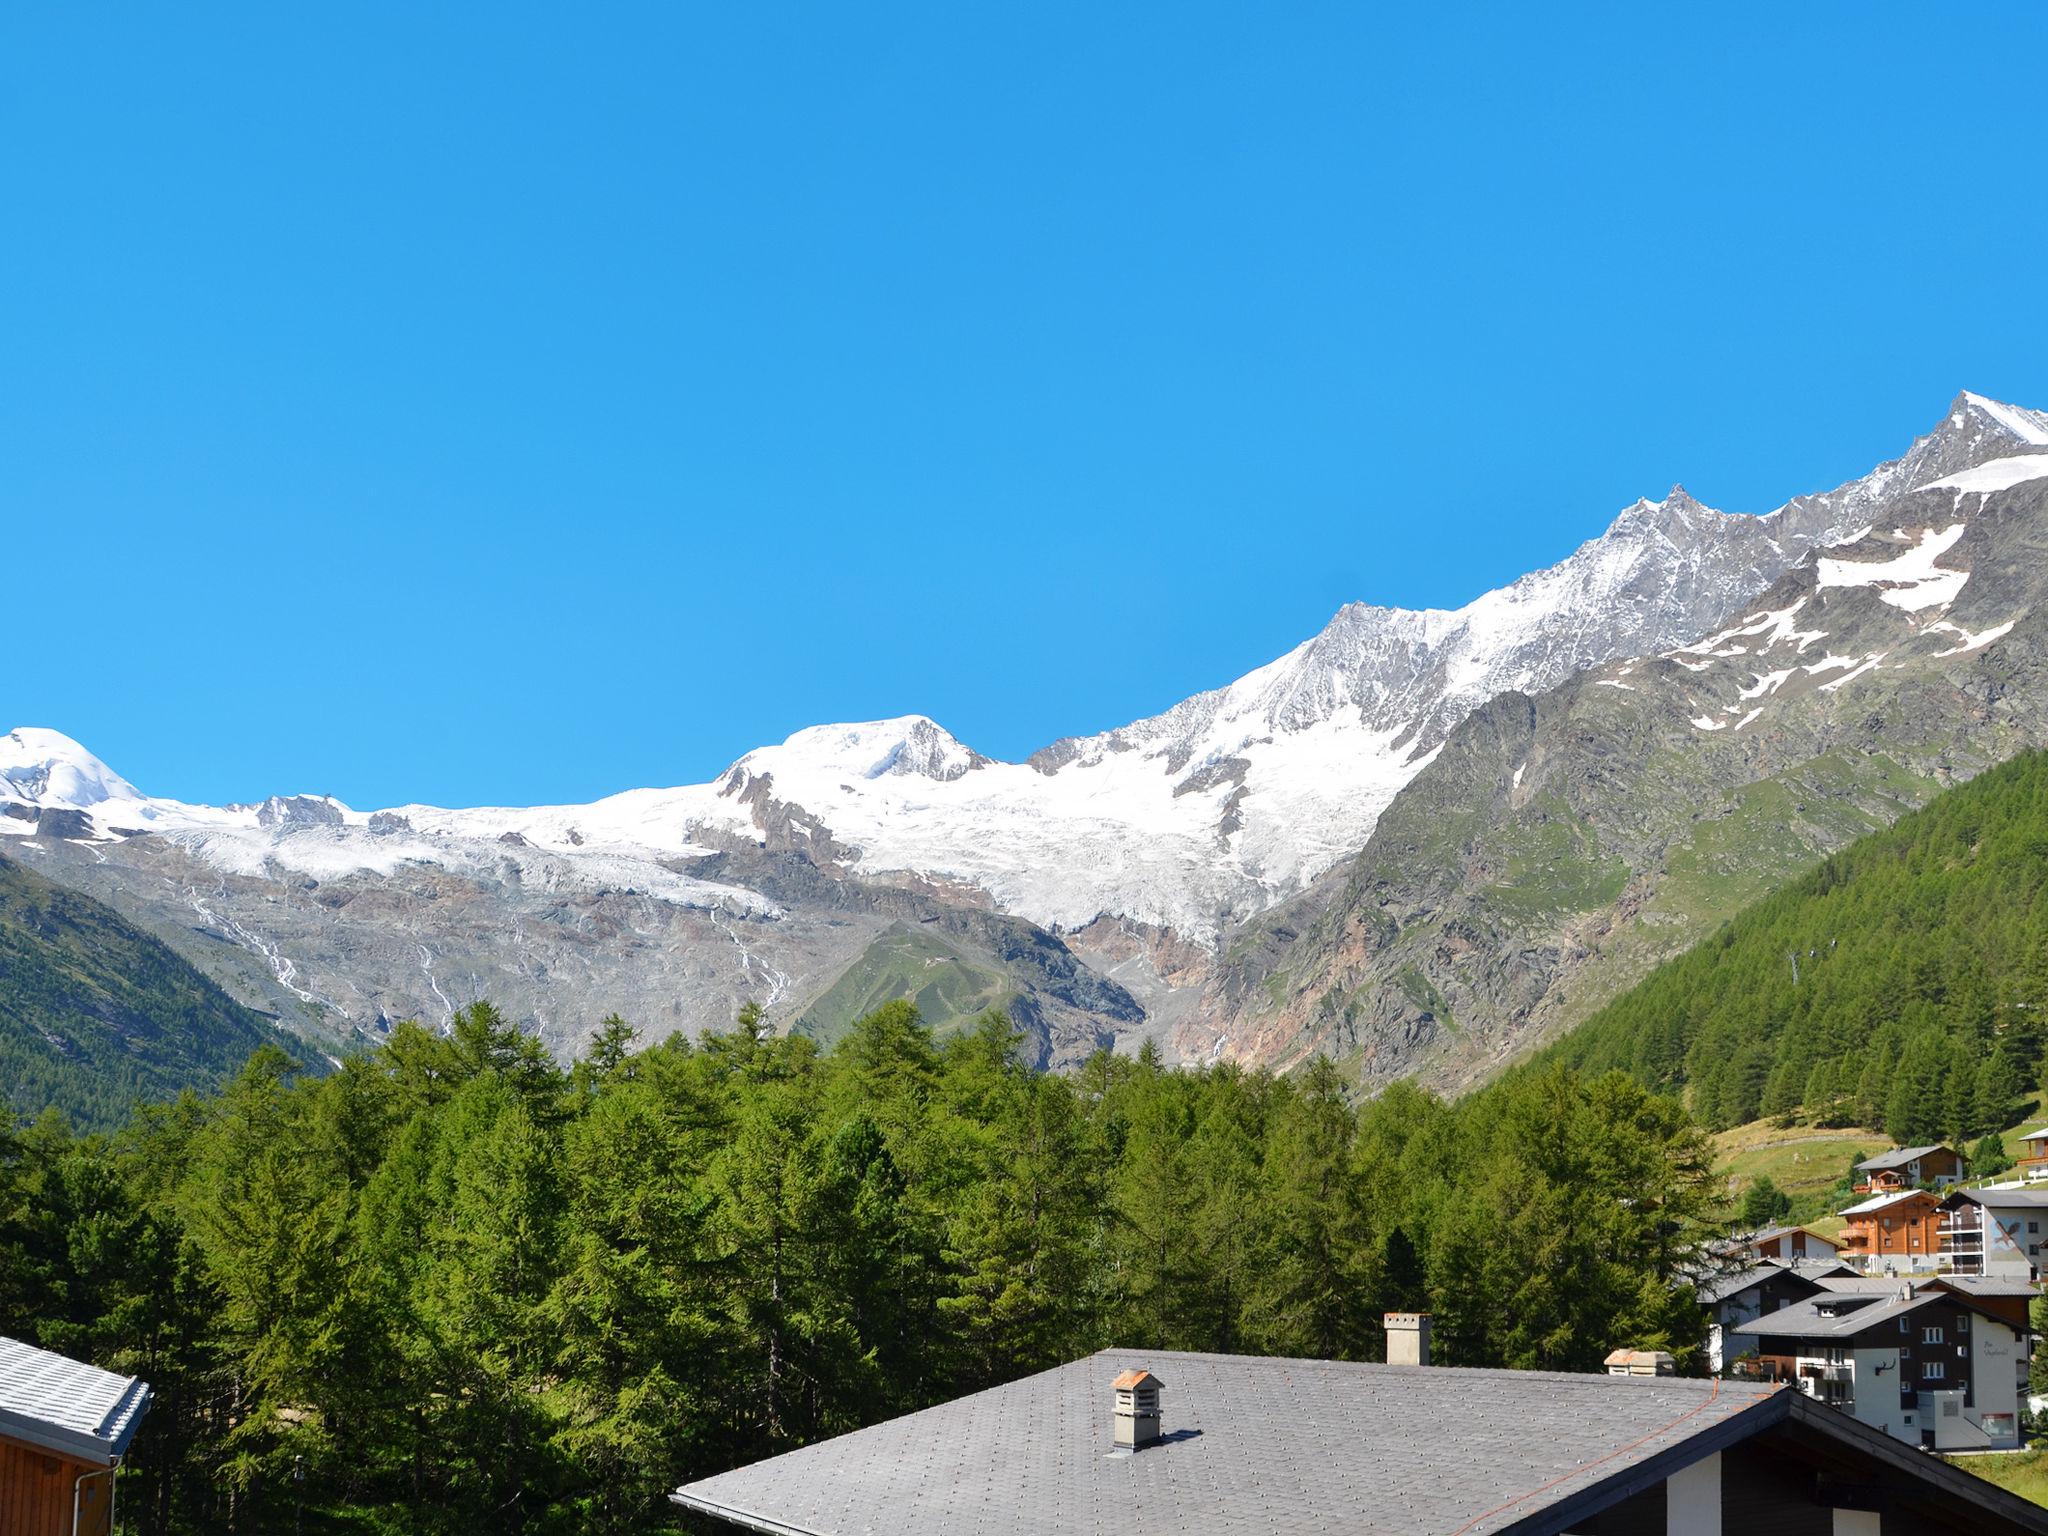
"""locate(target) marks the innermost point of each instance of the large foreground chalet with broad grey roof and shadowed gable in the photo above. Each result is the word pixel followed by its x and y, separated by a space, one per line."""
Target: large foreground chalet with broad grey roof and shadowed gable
pixel 1314 1447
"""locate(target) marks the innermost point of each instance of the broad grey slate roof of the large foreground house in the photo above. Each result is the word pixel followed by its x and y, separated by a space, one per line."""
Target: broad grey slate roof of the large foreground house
pixel 1254 1449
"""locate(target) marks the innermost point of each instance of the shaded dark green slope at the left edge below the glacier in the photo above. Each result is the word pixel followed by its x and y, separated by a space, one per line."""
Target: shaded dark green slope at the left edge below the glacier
pixel 95 1015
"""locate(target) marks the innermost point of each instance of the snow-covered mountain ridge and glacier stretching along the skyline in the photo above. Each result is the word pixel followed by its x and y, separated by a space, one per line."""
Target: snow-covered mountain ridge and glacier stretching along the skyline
pixel 1191 820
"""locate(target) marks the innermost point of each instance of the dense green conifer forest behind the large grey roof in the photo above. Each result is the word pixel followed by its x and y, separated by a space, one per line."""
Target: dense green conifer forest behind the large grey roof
pixel 456 1287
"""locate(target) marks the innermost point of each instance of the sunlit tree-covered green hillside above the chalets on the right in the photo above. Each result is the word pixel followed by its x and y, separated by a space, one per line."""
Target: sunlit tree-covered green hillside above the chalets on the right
pixel 1902 984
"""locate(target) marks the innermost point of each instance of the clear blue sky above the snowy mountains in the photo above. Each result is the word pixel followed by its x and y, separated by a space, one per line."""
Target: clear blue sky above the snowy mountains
pixel 527 402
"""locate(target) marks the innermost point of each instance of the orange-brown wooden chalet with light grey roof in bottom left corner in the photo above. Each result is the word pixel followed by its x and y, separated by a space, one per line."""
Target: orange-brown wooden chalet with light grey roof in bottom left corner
pixel 65 1431
